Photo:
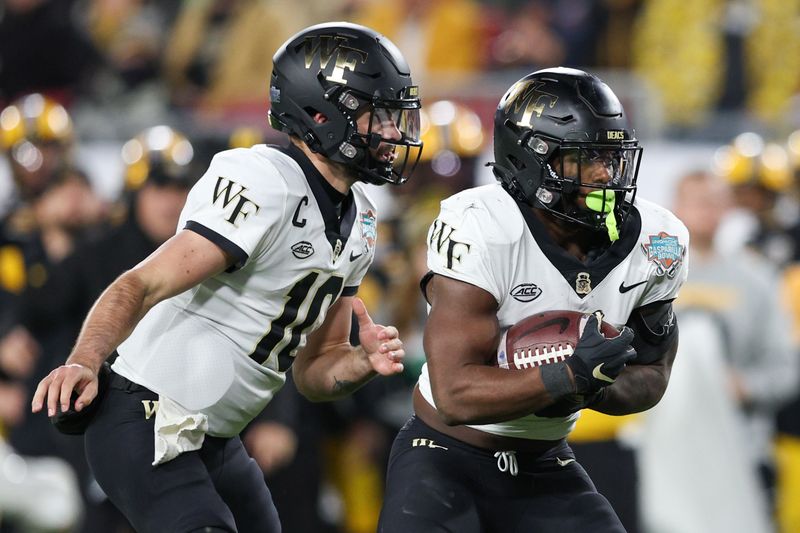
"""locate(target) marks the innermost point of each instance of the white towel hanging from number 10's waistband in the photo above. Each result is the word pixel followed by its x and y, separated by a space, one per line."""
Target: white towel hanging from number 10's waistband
pixel 177 430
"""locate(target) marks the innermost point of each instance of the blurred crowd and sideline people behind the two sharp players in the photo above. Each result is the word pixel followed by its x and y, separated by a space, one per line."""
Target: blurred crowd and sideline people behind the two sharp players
pixel 110 109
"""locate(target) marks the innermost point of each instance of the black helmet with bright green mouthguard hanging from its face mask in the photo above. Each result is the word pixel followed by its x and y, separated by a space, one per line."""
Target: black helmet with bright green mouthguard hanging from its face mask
pixel 551 130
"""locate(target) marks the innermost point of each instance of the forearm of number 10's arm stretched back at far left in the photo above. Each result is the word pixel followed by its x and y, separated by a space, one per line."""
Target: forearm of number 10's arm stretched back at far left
pixel 111 320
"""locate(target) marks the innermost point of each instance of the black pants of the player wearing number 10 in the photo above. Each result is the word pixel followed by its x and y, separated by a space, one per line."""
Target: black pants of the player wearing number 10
pixel 218 486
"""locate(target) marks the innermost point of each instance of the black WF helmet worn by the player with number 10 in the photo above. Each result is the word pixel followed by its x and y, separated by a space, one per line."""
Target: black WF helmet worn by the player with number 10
pixel 343 70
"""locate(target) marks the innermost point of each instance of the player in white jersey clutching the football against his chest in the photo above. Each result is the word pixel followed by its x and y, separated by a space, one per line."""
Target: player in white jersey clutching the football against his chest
pixel 562 230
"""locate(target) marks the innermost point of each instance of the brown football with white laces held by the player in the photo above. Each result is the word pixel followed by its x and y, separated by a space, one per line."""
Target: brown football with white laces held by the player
pixel 544 338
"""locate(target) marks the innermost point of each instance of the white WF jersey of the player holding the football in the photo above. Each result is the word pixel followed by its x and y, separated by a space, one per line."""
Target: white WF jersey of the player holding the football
pixel 484 238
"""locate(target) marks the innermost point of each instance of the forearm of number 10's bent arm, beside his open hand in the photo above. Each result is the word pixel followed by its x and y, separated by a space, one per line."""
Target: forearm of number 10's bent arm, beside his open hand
pixel 338 372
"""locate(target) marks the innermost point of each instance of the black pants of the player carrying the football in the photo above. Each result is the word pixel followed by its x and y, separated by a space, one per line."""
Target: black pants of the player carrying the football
pixel 437 484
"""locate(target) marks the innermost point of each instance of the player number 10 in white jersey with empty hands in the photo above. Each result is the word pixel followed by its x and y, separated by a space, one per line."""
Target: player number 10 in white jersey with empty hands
pixel 272 245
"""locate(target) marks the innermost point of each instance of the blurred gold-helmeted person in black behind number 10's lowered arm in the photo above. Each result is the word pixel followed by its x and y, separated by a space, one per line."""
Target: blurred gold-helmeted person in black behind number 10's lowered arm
pixel 160 168
